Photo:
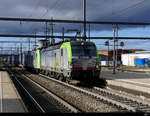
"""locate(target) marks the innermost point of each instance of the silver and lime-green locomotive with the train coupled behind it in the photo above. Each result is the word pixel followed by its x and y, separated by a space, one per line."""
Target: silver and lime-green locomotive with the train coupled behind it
pixel 66 61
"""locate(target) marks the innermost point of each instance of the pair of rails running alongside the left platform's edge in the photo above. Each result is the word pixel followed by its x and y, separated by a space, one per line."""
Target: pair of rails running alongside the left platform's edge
pixel 39 107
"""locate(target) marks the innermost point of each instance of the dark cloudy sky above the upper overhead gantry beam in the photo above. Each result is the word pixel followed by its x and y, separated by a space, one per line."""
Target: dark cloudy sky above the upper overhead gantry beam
pixel 98 10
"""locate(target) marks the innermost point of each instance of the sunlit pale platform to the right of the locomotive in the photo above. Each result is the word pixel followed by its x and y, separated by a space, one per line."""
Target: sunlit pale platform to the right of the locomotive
pixel 139 82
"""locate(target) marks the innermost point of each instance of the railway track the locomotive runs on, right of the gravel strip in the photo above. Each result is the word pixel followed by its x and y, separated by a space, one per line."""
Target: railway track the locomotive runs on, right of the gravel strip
pixel 105 96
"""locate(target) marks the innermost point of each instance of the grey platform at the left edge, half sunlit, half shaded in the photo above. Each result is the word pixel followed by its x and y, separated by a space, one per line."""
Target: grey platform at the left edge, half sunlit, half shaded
pixel 10 100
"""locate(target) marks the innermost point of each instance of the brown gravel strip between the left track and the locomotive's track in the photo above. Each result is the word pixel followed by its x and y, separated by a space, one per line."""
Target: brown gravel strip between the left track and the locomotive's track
pixel 84 102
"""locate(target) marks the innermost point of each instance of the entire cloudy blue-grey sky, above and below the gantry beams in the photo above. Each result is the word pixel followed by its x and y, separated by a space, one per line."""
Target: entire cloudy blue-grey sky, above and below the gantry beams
pixel 97 10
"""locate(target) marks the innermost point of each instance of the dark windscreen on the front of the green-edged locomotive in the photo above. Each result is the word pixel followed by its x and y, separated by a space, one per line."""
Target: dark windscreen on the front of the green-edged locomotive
pixel 83 50
